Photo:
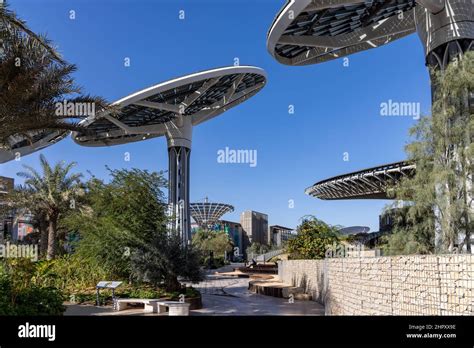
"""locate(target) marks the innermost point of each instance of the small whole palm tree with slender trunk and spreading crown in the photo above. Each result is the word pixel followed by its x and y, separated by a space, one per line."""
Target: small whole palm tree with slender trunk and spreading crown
pixel 52 193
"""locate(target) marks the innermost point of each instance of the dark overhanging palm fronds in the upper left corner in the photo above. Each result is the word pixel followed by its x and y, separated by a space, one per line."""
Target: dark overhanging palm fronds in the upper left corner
pixel 32 83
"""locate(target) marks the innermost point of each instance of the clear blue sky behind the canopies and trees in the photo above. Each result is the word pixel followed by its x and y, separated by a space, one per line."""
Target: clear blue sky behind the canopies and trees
pixel 337 108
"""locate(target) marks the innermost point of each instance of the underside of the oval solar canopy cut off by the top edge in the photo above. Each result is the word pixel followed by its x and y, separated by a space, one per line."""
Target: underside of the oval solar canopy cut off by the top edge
pixel 315 31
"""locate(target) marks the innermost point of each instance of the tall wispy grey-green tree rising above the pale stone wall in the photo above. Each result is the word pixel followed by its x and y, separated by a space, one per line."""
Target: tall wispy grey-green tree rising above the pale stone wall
pixel 442 189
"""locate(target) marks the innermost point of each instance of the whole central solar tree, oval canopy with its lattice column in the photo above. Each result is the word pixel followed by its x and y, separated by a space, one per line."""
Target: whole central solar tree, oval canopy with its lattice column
pixel 172 109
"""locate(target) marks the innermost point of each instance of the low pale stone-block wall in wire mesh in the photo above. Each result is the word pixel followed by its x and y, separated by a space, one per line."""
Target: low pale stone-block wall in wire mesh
pixel 400 285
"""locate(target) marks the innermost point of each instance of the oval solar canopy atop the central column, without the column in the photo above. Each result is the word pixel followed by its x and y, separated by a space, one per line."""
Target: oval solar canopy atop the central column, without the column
pixel 149 112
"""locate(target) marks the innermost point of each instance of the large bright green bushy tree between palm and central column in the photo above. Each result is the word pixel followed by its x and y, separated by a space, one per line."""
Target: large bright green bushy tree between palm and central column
pixel 119 217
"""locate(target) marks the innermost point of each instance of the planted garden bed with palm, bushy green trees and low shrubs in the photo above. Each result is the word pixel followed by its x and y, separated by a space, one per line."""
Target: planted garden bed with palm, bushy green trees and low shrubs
pixel 90 231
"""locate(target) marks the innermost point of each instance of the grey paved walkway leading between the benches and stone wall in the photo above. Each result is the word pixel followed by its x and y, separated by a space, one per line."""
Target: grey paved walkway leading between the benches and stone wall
pixel 224 295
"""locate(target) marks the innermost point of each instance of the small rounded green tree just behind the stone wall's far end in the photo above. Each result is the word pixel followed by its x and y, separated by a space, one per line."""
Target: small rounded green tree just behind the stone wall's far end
pixel 313 239
